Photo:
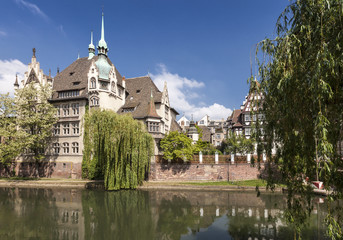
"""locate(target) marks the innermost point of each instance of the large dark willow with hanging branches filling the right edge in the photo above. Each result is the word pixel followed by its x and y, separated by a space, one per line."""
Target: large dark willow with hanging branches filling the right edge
pixel 301 78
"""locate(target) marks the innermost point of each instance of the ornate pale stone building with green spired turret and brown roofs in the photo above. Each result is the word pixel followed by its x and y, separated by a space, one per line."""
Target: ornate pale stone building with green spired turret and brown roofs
pixel 94 82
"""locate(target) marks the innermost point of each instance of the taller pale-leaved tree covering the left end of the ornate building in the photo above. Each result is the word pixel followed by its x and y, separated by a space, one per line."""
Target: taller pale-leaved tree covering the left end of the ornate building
pixel 35 118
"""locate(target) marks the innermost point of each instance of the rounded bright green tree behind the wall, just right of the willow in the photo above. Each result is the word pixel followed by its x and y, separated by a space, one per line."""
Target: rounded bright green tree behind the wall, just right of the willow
pixel 177 146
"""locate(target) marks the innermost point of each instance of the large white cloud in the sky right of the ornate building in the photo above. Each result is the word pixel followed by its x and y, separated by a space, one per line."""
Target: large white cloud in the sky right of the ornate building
pixel 182 90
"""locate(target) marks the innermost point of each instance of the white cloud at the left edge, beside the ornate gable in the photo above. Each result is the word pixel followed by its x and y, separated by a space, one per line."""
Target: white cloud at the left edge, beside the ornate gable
pixel 8 70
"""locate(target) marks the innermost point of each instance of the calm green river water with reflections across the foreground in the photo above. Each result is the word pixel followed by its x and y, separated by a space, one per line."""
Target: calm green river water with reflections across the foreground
pixel 88 214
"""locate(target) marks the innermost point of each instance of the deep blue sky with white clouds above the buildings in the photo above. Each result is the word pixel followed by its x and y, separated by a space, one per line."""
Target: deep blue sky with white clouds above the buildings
pixel 201 48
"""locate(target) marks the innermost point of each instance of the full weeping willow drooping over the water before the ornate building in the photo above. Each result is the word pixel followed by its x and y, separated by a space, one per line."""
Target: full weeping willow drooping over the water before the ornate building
pixel 116 148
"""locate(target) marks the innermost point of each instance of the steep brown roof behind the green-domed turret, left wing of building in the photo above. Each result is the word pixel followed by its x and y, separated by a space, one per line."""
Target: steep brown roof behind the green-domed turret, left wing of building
pixel 76 72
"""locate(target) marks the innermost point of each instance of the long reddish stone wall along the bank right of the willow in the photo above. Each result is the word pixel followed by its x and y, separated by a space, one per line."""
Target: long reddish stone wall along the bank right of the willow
pixel 209 172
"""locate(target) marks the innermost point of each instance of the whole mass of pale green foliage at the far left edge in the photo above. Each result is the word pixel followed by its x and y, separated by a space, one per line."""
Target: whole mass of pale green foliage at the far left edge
pixel 26 122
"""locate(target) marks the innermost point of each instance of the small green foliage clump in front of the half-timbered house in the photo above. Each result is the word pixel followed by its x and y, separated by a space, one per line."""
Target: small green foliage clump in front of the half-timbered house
pixel 239 144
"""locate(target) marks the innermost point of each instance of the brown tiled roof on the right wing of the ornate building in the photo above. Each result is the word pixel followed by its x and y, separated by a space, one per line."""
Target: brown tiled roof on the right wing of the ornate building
pixel 139 95
